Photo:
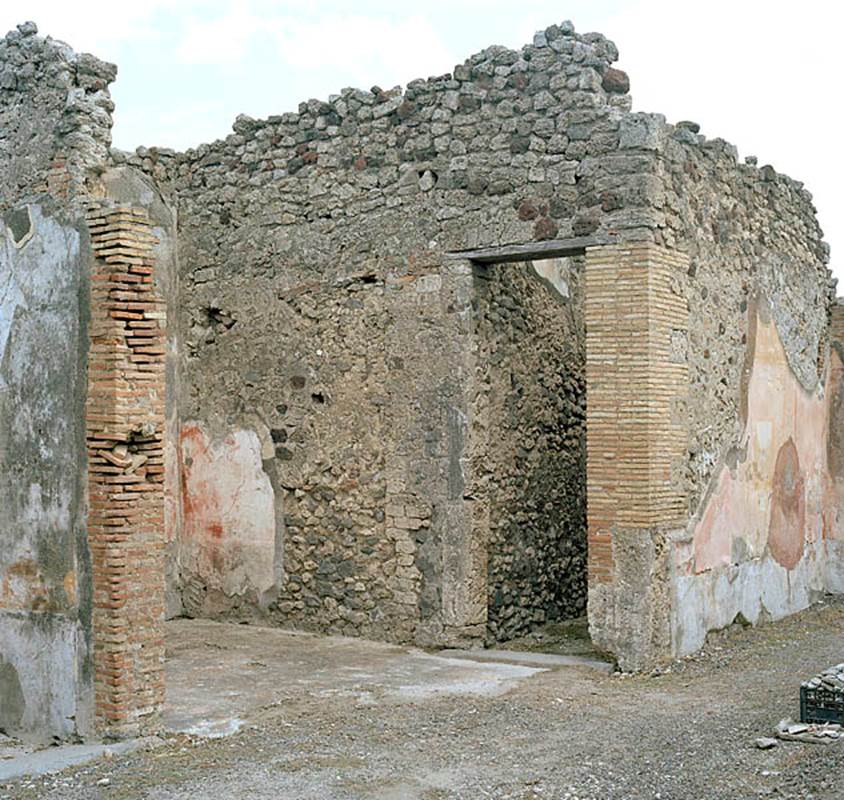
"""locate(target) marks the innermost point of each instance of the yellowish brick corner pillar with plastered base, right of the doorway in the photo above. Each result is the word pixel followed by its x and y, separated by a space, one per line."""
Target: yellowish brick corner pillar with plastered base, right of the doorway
pixel 636 385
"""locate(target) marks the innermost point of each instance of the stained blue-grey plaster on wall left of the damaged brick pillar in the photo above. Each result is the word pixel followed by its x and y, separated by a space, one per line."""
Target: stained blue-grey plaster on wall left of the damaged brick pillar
pixel 45 679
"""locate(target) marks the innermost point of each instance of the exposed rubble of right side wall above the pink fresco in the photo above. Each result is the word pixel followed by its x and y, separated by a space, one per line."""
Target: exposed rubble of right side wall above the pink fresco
pixel 749 233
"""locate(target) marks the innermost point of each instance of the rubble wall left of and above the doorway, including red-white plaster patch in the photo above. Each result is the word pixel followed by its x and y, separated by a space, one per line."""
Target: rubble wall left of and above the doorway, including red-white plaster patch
pixel 316 300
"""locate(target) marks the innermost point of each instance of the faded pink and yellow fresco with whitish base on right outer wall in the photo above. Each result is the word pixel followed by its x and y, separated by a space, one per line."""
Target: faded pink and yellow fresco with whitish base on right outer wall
pixel 760 547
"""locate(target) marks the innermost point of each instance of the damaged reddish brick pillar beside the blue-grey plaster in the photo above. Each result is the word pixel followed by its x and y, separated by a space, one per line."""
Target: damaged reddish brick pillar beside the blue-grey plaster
pixel 125 430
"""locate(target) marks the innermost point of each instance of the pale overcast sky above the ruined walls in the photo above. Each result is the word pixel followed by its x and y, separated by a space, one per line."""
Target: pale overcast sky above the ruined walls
pixel 762 75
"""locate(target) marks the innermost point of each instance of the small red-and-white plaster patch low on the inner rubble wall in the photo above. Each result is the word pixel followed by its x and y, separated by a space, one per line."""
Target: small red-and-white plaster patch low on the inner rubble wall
pixel 229 545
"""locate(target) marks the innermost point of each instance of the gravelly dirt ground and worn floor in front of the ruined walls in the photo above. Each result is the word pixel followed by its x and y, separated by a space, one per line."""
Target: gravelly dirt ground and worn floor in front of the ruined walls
pixel 685 732
